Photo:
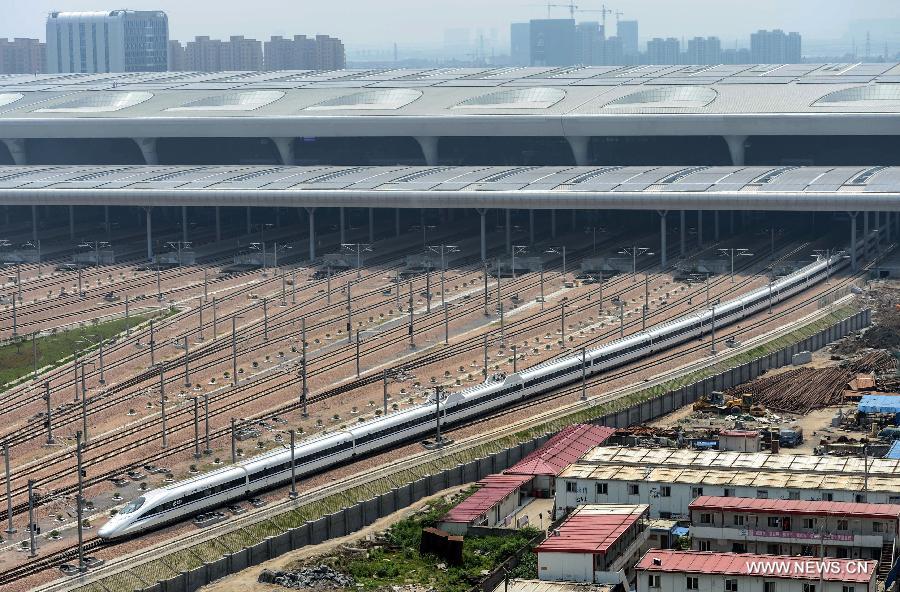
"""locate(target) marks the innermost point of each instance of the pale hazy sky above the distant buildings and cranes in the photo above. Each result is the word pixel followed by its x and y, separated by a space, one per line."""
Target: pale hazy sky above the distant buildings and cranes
pixel 423 22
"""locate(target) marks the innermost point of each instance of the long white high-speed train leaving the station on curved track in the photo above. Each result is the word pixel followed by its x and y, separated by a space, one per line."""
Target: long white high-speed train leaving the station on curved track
pixel 215 489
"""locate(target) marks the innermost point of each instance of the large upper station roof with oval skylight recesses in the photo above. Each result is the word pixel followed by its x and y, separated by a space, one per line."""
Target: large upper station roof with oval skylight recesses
pixel 454 101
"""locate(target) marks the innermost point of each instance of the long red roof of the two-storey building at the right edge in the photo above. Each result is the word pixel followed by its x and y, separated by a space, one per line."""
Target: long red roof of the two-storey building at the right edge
pixel 782 506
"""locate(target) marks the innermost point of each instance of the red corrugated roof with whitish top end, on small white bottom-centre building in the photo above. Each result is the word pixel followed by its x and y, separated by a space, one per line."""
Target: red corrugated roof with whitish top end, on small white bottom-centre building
pixel 593 528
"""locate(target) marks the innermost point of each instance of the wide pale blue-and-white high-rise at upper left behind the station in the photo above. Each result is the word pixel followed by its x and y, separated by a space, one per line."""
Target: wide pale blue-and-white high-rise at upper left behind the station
pixel 112 41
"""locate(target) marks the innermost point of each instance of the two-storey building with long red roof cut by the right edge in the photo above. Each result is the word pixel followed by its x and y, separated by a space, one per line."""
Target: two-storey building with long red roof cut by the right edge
pixel 795 527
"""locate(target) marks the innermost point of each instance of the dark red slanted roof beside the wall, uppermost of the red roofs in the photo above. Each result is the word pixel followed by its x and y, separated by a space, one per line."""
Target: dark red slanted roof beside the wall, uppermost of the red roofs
pixel 561 450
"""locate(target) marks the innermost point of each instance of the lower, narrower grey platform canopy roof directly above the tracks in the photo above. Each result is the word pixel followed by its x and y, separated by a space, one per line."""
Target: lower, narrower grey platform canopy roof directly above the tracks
pixel 821 188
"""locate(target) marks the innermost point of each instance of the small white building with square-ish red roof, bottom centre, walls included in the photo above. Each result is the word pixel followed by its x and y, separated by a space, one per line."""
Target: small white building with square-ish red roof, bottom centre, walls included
pixel 593 539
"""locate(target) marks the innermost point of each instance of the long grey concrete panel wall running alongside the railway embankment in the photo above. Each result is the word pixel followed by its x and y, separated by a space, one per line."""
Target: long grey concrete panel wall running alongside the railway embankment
pixel 351 519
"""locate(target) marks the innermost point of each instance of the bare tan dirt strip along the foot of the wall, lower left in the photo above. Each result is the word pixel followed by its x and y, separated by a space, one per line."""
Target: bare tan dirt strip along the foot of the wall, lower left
pixel 246 581
